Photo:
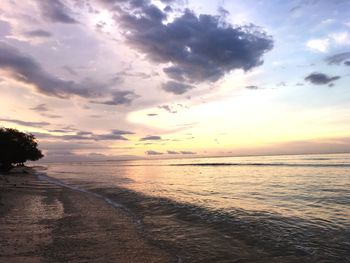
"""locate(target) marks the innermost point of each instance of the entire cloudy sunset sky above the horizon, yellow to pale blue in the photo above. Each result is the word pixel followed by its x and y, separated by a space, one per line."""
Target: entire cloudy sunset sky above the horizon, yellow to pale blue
pixel 126 79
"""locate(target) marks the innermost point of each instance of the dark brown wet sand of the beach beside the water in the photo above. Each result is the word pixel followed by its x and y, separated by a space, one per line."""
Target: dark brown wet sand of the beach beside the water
pixel 41 222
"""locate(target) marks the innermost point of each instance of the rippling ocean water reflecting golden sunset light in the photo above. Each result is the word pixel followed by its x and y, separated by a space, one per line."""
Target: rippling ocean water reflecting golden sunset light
pixel 229 209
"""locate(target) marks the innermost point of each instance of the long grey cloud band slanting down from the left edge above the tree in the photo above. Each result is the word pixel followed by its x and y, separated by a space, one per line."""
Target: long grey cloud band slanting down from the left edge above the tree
pixel 25 69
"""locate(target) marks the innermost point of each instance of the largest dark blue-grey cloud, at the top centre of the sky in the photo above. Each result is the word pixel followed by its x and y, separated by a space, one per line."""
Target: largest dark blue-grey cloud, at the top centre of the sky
pixel 200 48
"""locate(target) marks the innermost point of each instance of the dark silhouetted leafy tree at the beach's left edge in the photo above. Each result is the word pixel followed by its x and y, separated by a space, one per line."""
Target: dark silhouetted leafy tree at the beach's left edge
pixel 17 147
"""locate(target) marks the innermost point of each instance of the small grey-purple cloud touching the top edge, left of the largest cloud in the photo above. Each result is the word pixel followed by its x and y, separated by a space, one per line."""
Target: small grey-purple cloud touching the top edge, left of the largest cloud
pixel 55 11
